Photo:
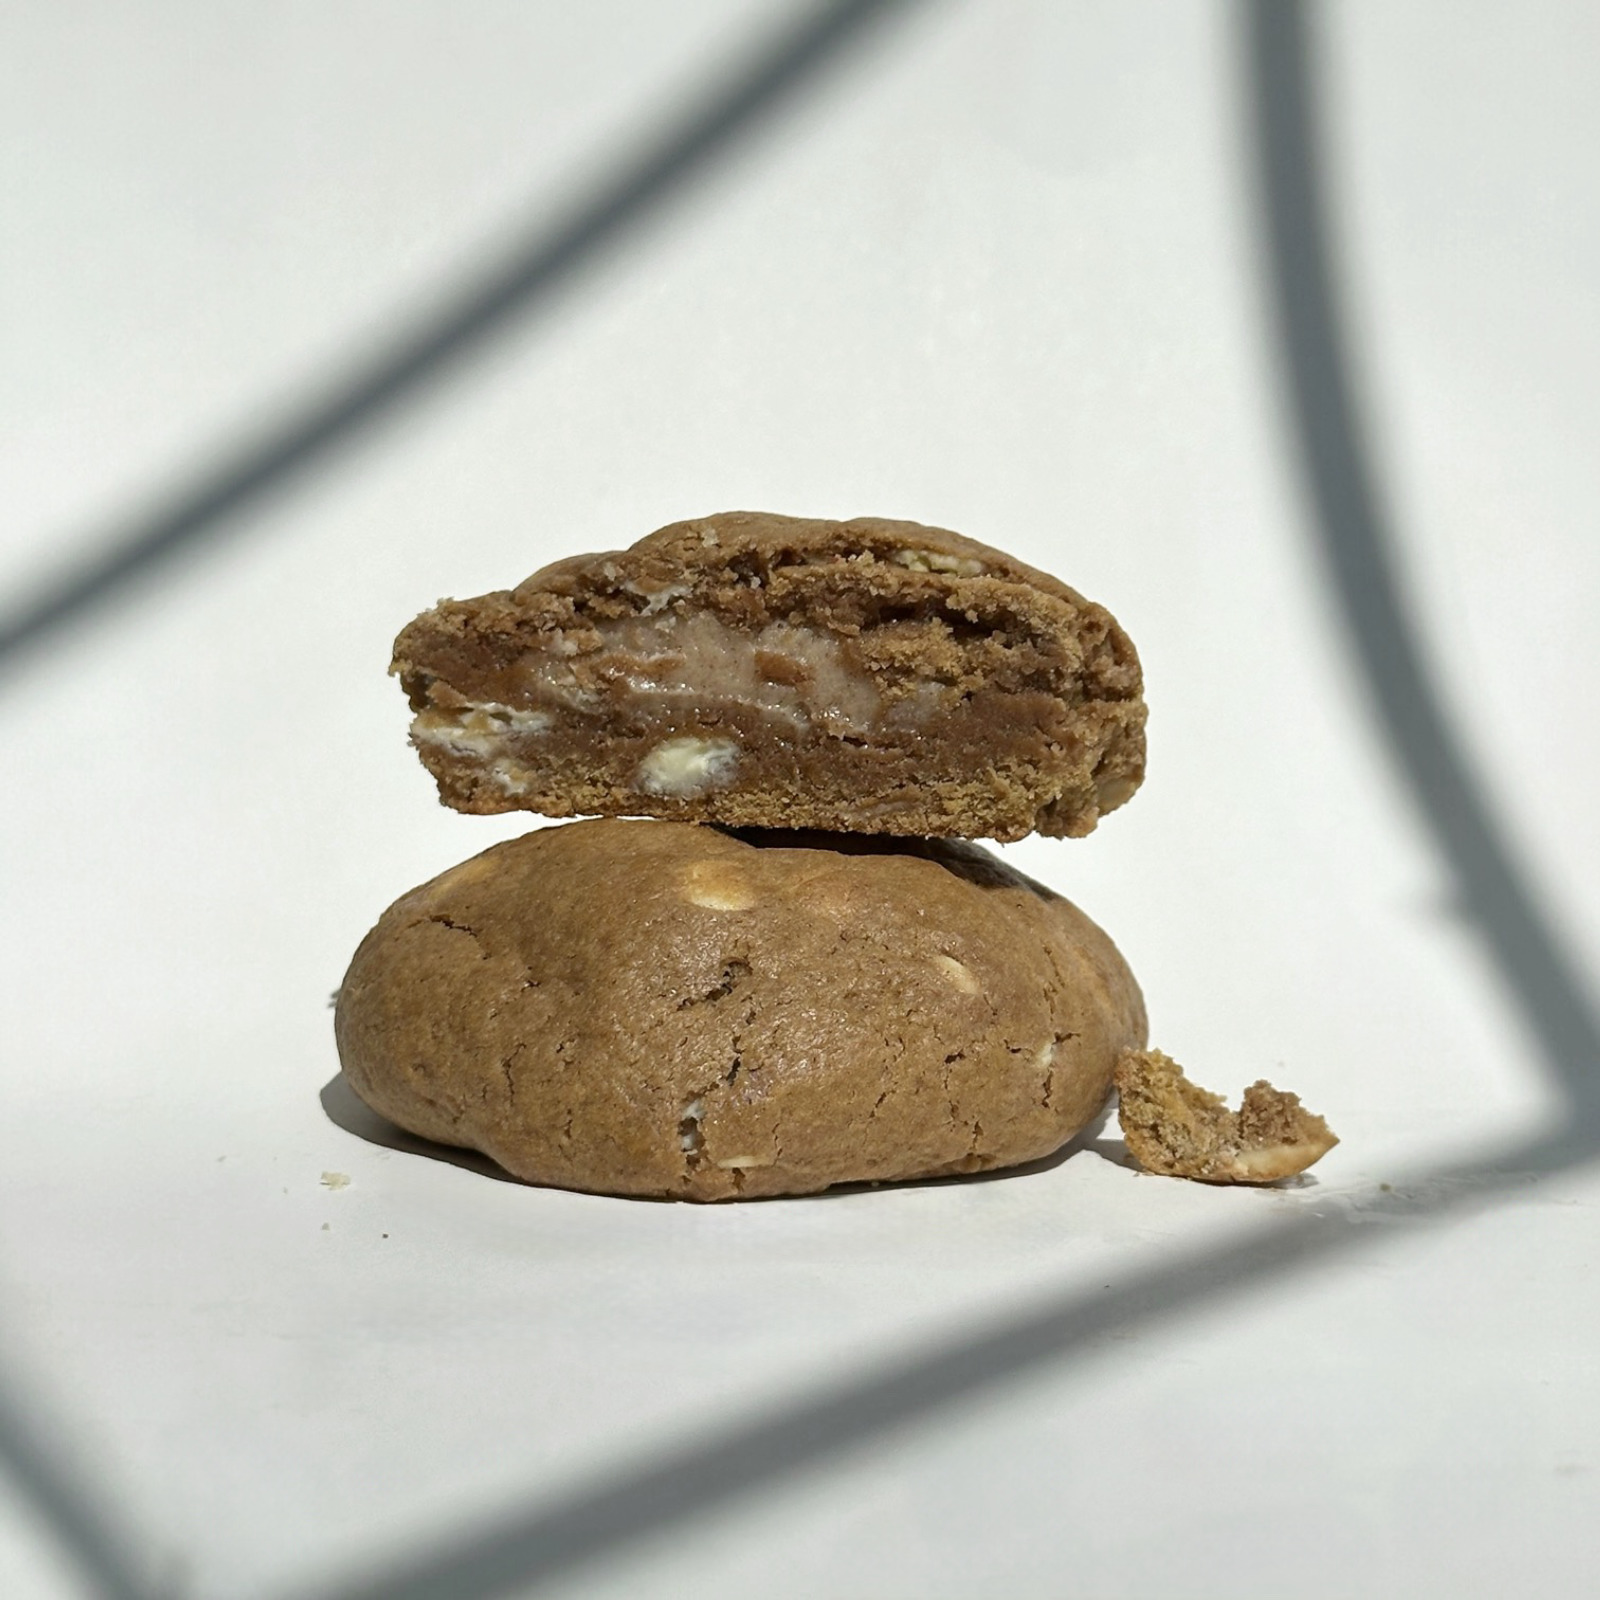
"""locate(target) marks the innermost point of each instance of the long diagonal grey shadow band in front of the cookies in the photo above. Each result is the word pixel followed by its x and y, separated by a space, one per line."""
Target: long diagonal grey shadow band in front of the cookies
pixel 722 1470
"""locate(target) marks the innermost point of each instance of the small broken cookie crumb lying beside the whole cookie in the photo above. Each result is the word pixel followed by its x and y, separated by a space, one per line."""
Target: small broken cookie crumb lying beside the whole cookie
pixel 1177 1129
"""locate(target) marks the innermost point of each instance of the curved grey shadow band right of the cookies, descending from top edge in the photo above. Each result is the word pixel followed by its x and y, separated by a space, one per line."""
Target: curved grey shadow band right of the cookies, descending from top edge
pixel 1356 545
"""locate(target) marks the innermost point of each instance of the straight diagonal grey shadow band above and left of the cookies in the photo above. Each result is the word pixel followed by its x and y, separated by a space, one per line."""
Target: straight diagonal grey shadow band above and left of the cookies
pixel 209 505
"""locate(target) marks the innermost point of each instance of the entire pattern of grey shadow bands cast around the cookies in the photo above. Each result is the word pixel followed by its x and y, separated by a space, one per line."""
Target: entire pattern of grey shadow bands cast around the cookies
pixel 1354 538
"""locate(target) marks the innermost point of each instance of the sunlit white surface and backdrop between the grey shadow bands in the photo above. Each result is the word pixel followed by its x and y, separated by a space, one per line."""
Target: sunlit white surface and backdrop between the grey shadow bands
pixel 996 276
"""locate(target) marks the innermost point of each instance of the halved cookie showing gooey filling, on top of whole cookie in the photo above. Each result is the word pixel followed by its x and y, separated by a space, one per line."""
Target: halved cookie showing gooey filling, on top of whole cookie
pixel 767 671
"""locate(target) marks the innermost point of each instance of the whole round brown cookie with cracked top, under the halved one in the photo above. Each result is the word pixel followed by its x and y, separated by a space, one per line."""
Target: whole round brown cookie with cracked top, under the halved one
pixel 663 1009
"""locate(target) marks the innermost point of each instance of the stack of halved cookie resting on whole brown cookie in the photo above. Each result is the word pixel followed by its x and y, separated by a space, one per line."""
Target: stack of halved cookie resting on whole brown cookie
pixel 798 974
